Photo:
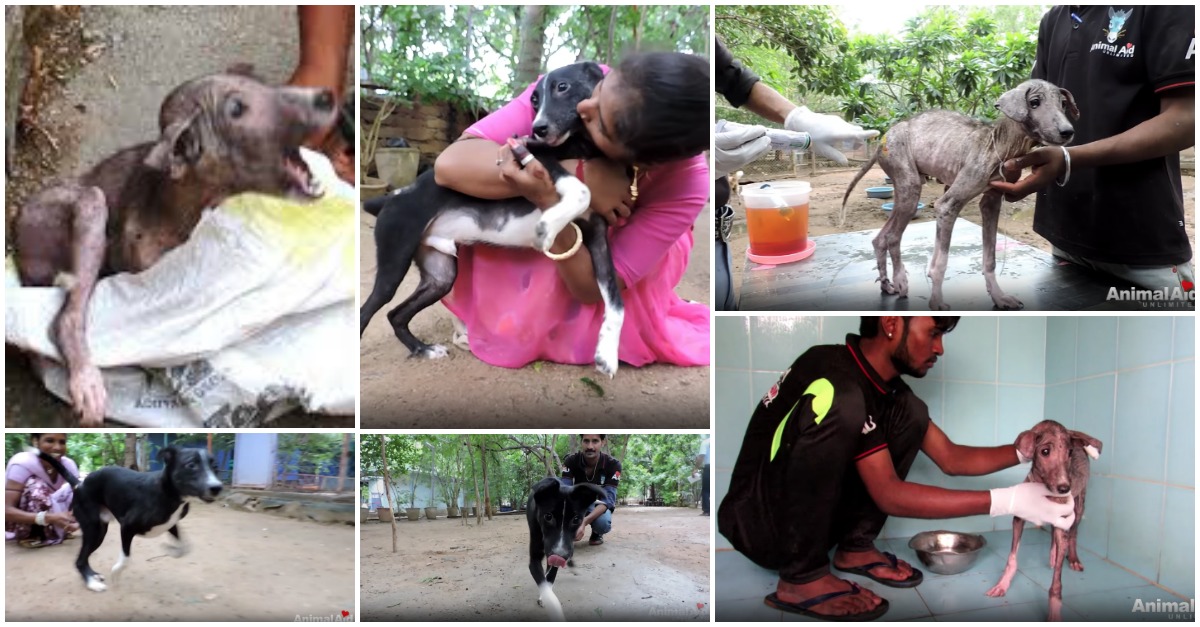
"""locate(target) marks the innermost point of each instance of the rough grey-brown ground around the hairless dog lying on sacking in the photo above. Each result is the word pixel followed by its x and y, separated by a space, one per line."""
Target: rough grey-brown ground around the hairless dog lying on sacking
pixel 107 70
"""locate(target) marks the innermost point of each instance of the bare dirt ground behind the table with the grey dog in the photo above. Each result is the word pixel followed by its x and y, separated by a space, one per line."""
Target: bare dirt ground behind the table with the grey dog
pixel 865 214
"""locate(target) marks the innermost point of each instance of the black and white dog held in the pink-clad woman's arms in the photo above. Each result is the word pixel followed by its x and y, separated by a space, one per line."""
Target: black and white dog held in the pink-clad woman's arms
pixel 425 222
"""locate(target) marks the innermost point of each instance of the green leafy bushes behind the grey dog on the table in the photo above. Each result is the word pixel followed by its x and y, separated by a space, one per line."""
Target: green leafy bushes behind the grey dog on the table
pixel 955 58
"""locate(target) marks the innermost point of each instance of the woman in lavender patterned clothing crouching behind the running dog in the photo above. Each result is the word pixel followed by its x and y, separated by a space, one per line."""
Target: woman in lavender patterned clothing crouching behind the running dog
pixel 38 500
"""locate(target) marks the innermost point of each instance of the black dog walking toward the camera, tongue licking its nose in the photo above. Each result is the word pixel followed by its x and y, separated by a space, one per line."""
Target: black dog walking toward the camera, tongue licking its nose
pixel 555 513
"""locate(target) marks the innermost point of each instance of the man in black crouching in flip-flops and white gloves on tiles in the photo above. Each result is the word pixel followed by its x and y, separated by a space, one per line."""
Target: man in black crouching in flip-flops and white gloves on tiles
pixel 824 464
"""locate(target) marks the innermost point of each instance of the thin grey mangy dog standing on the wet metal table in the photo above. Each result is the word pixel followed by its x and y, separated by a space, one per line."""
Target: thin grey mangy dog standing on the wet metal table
pixel 967 156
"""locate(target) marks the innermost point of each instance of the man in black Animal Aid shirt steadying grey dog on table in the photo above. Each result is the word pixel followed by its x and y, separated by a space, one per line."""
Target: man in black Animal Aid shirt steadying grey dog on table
pixel 1118 206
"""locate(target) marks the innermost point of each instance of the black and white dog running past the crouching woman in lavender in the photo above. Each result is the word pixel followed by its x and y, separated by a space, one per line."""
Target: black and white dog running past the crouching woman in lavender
pixel 145 504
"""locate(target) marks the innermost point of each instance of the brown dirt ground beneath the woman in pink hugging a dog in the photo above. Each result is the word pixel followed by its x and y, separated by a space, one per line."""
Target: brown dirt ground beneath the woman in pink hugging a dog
pixel 463 392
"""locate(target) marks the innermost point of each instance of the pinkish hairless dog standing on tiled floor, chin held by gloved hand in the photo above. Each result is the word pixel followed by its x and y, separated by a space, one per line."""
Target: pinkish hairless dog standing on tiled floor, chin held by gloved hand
pixel 1061 463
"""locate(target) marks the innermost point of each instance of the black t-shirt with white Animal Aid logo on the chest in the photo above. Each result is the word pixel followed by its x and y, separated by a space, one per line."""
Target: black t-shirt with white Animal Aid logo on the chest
pixel 1117 62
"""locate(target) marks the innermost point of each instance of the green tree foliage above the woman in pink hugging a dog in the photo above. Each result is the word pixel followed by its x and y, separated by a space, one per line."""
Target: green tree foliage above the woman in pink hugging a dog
pixel 470 56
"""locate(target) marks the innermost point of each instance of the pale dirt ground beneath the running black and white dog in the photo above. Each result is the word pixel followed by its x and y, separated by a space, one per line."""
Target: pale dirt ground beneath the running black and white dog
pixel 243 568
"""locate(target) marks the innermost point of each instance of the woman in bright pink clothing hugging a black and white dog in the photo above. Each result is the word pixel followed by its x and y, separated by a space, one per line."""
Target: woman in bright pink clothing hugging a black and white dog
pixel 650 117
